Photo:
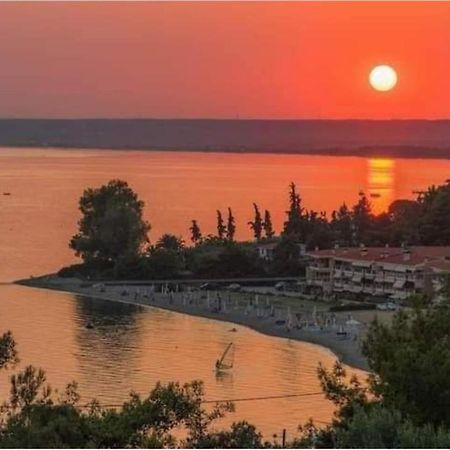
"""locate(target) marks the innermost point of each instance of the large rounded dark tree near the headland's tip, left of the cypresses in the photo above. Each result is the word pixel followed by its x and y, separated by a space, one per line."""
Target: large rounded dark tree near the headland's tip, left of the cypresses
pixel 112 226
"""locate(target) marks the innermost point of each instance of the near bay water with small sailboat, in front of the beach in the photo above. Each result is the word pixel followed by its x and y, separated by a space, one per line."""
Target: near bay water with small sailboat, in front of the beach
pixel 133 347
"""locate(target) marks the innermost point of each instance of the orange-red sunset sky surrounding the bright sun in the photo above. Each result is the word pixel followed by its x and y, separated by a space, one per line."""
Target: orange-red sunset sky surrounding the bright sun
pixel 274 60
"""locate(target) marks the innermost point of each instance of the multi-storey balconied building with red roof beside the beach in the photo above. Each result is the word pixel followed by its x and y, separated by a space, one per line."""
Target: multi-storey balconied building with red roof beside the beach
pixel 388 272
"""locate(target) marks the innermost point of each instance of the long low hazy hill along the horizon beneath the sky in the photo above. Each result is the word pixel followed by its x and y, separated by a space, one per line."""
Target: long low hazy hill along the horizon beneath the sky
pixel 405 138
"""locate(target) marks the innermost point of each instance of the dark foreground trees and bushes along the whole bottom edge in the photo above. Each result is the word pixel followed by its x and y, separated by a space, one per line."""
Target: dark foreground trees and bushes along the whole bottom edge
pixel 402 404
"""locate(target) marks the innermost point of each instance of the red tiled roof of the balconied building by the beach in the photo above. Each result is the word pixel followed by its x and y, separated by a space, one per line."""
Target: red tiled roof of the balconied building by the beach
pixel 394 255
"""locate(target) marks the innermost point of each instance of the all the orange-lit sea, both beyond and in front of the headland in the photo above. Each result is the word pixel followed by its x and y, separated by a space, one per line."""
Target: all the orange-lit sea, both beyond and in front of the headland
pixel 132 347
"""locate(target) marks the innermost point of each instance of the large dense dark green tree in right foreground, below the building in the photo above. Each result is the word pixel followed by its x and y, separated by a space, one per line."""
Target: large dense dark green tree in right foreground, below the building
pixel 411 363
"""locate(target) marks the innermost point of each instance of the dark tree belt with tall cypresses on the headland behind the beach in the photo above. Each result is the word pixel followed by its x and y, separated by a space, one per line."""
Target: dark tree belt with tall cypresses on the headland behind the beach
pixel 113 236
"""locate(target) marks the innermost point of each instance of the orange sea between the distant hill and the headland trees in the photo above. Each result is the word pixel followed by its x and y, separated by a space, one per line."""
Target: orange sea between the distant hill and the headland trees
pixel 40 215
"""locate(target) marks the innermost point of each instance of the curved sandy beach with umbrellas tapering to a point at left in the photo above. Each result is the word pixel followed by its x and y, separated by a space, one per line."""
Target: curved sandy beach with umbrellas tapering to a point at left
pixel 276 315
